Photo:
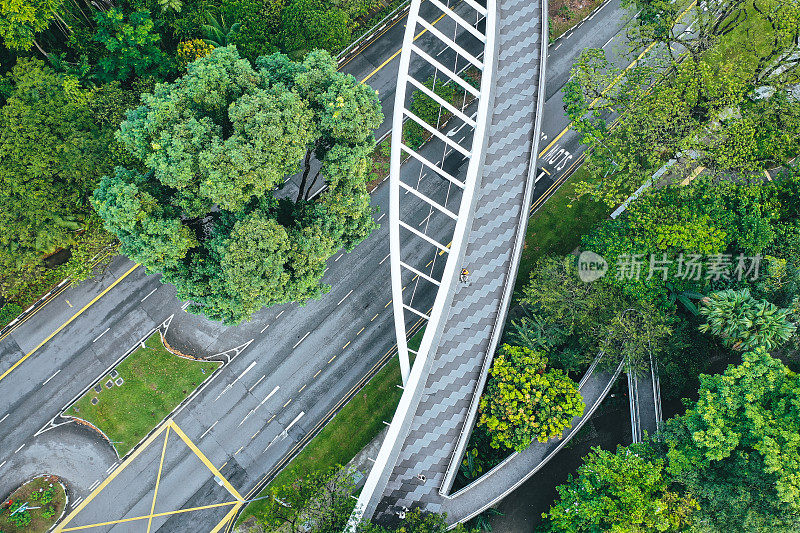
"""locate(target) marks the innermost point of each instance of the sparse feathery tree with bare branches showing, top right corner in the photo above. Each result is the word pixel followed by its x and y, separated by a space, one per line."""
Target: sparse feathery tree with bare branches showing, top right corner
pixel 723 105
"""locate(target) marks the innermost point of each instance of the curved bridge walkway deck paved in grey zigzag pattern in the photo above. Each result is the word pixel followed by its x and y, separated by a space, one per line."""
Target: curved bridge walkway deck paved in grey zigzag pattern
pixel 442 419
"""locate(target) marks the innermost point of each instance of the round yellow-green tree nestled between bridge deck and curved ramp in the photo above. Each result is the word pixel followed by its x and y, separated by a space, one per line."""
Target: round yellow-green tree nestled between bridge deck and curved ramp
pixel 522 402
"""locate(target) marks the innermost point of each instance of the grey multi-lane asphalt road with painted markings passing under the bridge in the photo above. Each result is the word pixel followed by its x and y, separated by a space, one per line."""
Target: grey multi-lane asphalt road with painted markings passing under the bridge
pixel 302 359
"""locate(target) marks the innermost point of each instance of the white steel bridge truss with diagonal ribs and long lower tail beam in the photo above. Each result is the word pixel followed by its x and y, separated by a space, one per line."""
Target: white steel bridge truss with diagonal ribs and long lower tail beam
pixel 460 214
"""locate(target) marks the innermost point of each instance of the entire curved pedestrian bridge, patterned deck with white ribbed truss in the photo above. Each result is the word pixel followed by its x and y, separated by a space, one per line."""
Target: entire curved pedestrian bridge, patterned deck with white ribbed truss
pixel 475 175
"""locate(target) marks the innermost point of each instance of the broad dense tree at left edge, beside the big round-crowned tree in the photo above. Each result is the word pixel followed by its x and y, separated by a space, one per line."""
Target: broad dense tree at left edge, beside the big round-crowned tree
pixel 54 149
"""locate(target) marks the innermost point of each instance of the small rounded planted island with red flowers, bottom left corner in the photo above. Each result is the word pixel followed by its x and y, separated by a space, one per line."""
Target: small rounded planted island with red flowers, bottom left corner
pixel 44 492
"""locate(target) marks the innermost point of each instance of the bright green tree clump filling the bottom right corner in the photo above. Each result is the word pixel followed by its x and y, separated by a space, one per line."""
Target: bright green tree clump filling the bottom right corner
pixel 728 464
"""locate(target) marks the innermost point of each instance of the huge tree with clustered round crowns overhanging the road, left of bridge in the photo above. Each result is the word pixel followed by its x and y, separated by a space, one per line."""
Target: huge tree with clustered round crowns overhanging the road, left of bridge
pixel 216 144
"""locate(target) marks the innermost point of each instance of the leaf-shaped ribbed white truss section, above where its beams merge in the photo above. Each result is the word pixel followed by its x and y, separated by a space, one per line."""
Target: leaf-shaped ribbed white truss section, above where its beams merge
pixel 413 52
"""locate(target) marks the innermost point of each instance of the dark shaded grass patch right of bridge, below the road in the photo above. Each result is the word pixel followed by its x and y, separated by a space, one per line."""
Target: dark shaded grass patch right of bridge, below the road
pixel 557 227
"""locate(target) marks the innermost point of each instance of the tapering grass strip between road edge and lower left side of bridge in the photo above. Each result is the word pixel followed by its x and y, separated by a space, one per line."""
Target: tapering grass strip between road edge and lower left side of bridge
pixel 358 422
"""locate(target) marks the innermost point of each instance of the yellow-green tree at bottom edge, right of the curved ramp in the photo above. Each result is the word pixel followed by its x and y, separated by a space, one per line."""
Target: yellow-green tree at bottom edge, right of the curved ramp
pixel 620 492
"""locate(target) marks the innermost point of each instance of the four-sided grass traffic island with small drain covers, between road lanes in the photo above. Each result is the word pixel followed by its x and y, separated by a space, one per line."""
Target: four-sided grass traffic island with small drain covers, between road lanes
pixel 155 381
